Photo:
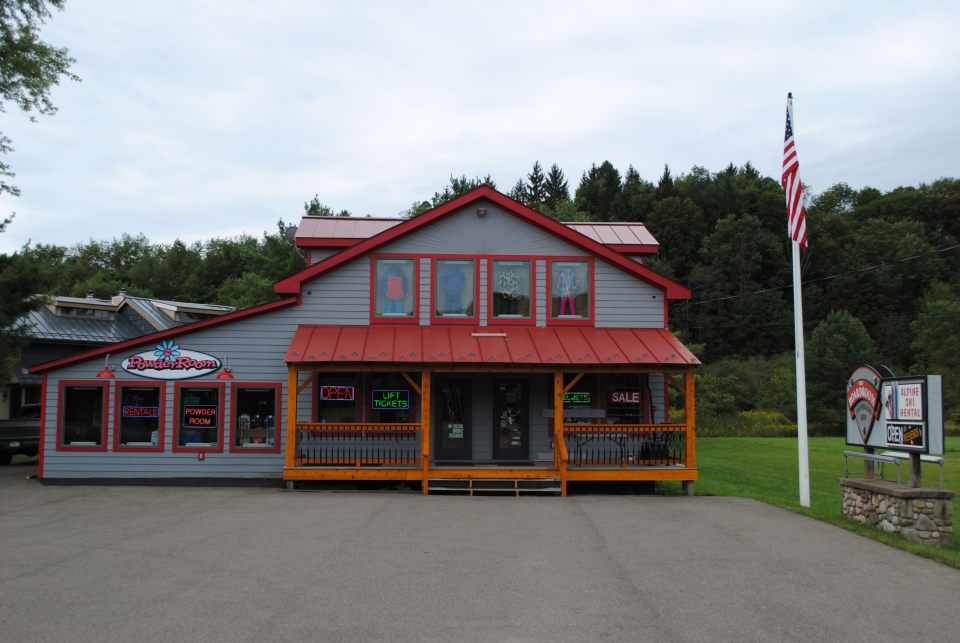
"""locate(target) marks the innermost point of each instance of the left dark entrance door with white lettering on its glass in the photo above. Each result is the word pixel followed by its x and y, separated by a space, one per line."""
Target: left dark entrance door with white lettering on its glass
pixel 453 439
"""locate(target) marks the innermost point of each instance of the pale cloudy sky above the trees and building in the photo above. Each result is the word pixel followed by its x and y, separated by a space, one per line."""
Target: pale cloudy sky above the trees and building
pixel 213 118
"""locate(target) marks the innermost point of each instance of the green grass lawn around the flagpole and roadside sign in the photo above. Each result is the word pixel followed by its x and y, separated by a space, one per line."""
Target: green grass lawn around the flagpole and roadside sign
pixel 766 469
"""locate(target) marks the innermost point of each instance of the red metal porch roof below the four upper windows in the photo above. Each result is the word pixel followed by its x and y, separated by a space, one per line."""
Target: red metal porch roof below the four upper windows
pixel 487 345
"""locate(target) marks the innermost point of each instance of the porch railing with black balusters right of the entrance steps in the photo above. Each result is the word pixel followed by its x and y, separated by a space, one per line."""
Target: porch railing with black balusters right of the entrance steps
pixel 625 445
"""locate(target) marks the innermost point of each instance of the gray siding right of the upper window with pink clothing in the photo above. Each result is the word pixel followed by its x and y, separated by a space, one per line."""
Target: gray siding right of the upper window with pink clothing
pixel 623 301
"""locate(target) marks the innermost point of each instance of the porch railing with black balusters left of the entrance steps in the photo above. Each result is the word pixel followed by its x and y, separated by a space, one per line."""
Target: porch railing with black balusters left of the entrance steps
pixel 356 444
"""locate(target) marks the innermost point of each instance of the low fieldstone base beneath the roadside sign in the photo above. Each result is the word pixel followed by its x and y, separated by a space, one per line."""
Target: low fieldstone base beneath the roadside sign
pixel 922 515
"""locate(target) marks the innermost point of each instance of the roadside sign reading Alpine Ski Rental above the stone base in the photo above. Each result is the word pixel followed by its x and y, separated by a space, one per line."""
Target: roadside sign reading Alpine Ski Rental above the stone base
pixel 901 413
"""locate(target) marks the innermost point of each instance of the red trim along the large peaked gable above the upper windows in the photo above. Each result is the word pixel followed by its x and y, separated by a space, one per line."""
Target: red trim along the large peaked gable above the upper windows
pixel 291 285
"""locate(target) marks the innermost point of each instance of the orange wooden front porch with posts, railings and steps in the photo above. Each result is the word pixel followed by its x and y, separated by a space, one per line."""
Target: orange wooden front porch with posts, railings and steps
pixel 580 450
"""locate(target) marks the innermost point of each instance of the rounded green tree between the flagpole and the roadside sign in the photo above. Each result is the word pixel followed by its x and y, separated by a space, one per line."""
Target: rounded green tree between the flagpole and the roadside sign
pixel 837 346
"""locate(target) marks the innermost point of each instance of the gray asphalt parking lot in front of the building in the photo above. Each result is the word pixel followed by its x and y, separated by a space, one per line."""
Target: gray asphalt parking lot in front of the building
pixel 180 564
